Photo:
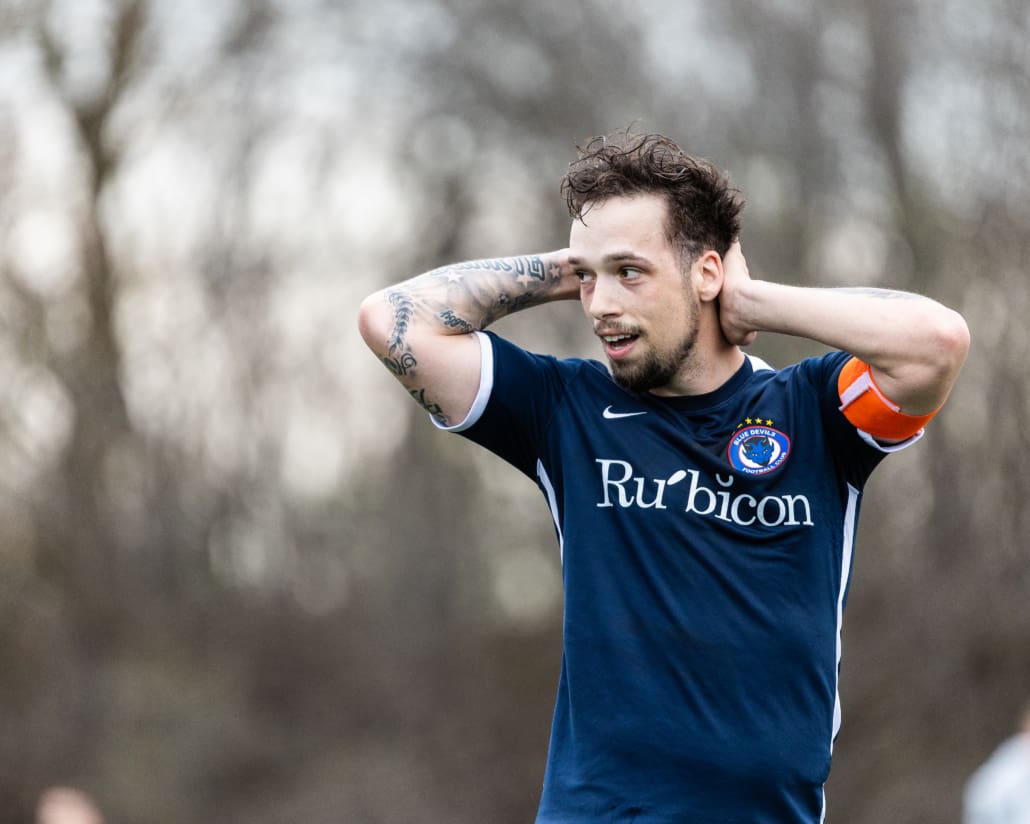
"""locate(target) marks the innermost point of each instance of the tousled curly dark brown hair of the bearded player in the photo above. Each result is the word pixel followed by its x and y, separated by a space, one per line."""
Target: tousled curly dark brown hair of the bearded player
pixel 704 209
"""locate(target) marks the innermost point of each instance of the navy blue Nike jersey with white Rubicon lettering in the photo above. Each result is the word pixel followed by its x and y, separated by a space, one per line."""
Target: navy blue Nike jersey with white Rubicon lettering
pixel 706 545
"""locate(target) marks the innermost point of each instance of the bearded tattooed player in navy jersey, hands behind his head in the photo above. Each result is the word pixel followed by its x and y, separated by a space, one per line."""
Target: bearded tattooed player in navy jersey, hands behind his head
pixel 705 504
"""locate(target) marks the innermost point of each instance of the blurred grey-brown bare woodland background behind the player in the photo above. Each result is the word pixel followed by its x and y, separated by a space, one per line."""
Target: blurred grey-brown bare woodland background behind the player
pixel 242 577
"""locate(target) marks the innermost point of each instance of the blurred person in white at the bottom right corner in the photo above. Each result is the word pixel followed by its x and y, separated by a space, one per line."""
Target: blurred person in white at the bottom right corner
pixel 1000 792
